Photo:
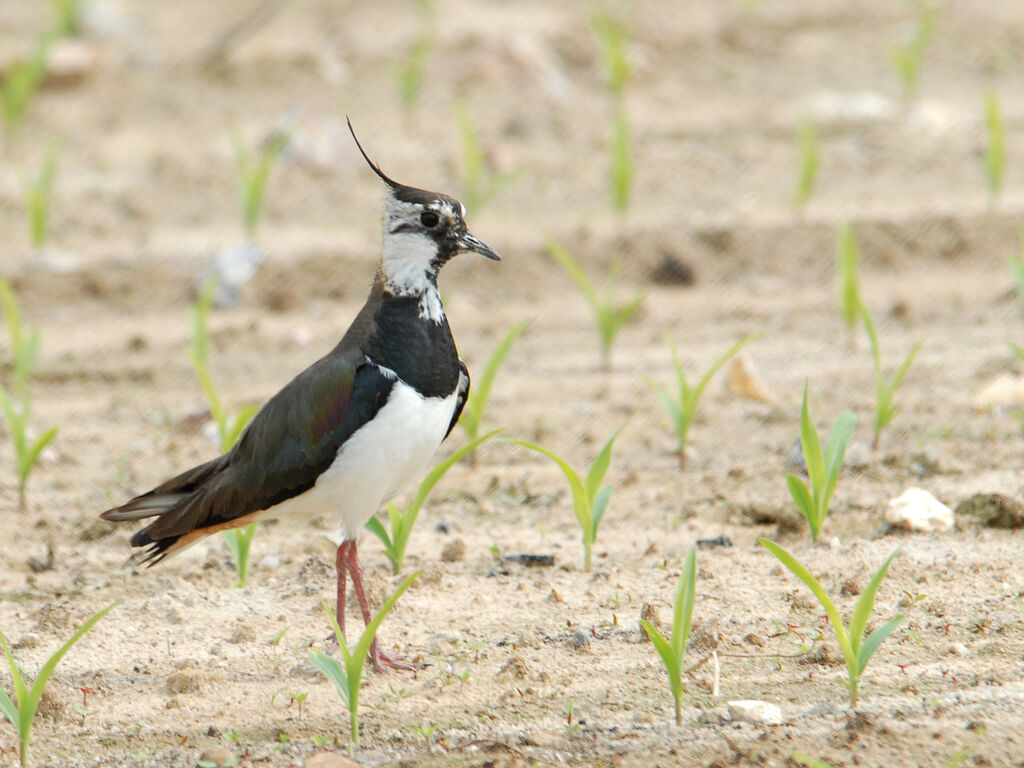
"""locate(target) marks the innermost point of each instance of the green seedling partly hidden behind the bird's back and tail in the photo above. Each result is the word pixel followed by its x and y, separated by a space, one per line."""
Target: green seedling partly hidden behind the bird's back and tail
pixel 229 430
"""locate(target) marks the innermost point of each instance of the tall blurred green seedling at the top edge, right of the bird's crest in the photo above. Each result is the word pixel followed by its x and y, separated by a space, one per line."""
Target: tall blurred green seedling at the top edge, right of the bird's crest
pixel 613 37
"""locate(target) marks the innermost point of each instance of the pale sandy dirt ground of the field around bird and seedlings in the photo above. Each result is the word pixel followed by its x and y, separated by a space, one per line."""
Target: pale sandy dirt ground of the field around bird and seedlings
pixel 544 666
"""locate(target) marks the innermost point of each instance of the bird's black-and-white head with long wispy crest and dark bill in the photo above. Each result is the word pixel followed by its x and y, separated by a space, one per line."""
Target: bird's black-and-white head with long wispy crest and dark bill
pixel 422 232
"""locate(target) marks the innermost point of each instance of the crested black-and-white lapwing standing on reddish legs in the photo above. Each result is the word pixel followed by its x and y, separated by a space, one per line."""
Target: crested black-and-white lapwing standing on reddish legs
pixel 356 428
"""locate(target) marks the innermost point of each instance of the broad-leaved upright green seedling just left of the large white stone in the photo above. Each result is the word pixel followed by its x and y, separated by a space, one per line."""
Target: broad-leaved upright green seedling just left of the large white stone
pixel 823 468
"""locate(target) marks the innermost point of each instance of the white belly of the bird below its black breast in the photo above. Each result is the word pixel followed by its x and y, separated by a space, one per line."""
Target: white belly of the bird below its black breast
pixel 378 461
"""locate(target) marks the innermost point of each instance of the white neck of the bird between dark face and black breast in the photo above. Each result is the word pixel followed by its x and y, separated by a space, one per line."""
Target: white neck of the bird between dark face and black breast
pixel 409 269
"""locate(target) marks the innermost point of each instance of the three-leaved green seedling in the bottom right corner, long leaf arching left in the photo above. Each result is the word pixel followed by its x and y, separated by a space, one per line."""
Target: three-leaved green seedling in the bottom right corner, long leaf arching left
pixel 858 650
